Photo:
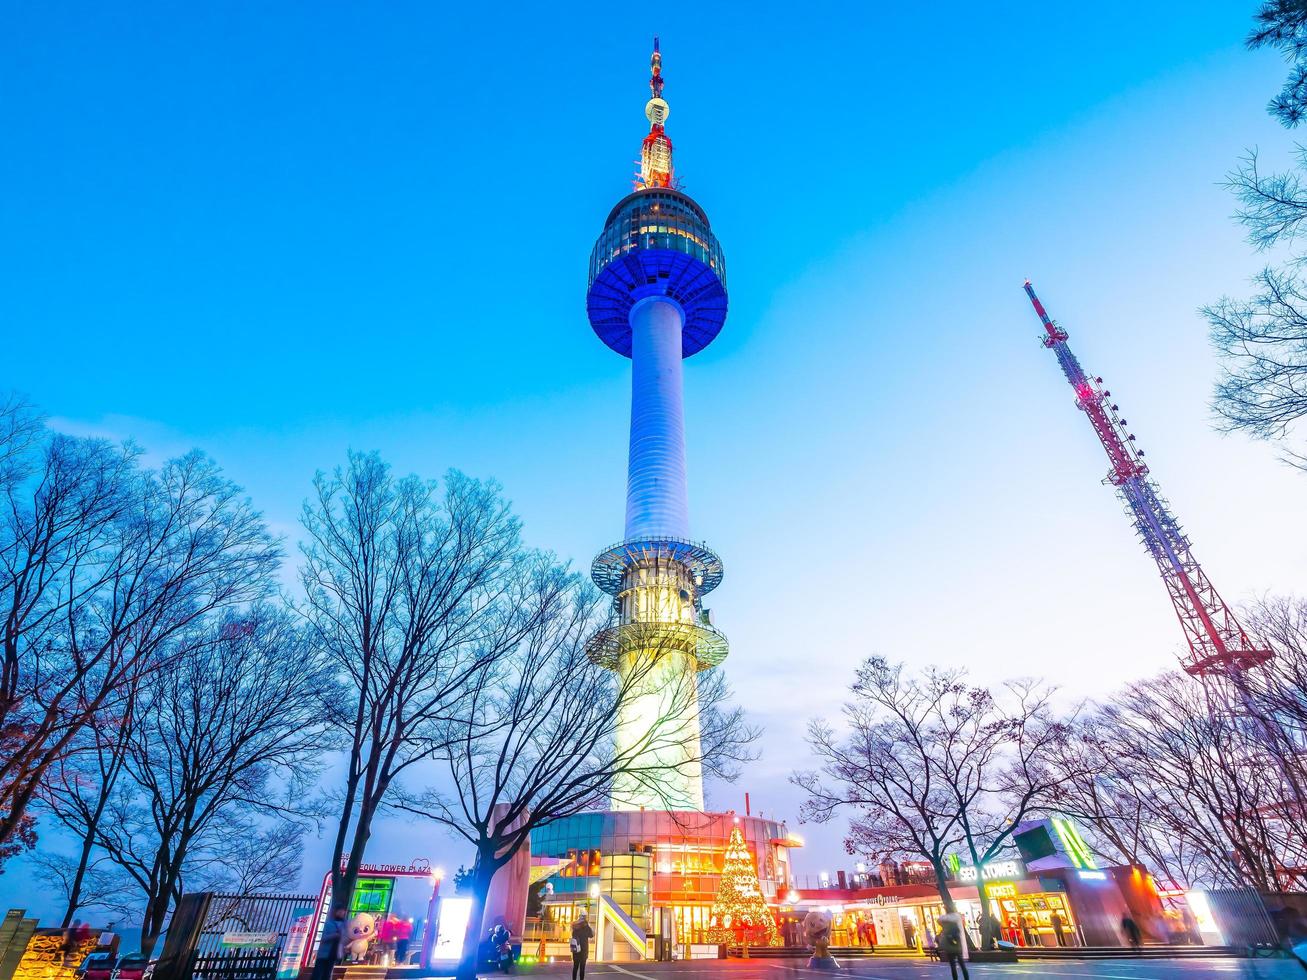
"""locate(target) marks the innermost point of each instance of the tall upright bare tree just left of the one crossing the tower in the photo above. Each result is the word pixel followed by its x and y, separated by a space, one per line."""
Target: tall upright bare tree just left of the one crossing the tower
pixel 405 589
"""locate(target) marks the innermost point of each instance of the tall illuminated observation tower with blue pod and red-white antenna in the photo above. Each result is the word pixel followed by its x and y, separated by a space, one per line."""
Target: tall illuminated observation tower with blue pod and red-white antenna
pixel 657 296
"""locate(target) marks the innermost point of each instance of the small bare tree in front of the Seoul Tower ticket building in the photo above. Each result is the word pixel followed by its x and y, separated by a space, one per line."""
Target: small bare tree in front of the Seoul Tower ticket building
pixel 933 764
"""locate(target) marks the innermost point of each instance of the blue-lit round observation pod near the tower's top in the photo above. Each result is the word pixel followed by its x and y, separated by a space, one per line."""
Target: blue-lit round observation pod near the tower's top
pixel 658 242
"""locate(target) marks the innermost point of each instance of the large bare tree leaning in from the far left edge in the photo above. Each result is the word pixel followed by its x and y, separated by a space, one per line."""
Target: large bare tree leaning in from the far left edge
pixel 101 566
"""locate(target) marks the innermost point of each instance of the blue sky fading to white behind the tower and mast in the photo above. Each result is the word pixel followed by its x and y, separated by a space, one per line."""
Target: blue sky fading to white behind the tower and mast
pixel 279 232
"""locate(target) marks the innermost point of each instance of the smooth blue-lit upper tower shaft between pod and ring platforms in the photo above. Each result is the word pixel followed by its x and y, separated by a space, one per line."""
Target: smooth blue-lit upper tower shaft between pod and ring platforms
pixel 657 496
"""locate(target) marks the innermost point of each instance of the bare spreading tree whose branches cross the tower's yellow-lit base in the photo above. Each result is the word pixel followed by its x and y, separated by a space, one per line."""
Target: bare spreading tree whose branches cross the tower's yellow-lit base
pixel 537 742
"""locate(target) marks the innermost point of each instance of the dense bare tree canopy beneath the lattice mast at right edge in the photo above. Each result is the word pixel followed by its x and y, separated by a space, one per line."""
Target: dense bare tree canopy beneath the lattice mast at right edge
pixel 1203 781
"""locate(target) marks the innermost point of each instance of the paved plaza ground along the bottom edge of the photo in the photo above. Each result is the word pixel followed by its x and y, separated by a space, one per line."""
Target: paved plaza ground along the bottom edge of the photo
pixel 905 969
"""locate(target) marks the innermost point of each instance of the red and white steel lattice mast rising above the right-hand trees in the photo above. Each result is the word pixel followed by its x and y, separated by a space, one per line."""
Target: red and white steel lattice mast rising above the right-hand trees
pixel 1217 642
